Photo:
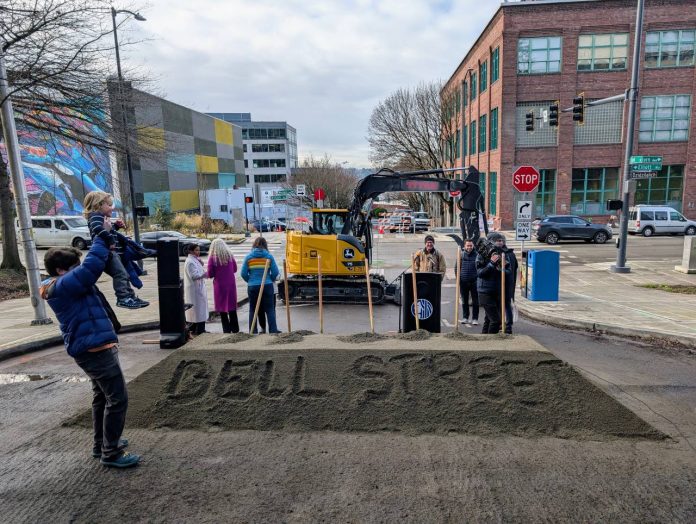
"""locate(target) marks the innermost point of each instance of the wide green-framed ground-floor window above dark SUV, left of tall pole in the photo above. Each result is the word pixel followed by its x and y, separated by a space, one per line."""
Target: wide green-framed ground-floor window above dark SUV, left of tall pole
pixel 591 188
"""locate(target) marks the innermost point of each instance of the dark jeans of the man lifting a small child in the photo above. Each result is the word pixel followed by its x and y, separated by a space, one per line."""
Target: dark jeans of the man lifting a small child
pixel 109 399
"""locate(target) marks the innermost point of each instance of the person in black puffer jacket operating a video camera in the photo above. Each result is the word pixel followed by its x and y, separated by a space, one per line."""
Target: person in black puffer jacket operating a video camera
pixel 488 285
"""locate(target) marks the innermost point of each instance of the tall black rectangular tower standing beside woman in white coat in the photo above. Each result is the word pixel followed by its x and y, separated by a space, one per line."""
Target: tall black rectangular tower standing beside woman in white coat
pixel 173 333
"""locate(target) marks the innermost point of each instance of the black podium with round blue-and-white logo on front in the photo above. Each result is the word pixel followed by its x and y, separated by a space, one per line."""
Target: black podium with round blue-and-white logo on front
pixel 429 293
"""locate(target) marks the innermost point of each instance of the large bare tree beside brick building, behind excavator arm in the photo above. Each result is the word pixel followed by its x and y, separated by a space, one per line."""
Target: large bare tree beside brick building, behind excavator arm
pixel 415 129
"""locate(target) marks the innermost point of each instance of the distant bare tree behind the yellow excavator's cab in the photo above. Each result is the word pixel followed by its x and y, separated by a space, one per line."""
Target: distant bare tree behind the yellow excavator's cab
pixel 337 182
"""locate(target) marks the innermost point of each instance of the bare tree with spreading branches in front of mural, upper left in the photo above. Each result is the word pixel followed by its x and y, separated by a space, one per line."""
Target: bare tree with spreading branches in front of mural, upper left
pixel 57 55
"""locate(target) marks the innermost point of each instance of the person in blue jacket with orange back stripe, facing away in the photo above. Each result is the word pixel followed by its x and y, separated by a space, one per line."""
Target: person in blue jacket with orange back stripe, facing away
pixel 252 273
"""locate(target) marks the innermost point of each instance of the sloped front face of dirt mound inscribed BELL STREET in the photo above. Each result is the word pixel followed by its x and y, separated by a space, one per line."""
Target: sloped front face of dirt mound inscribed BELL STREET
pixel 527 394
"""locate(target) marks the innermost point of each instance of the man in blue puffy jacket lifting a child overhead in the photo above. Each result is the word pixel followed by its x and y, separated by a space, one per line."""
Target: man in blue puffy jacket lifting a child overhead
pixel 89 328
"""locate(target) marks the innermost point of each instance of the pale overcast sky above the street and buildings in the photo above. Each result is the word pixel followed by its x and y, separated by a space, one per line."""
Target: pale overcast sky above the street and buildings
pixel 322 66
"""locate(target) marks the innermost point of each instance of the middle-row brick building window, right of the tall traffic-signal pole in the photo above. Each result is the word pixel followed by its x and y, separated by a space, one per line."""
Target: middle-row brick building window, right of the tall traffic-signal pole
pixel 665 118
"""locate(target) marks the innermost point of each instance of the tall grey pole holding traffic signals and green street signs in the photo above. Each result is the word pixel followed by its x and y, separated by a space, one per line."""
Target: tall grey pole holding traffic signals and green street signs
pixel 620 266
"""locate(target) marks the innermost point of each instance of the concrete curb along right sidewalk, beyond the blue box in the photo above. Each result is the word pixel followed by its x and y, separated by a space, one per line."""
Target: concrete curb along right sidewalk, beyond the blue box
pixel 610 329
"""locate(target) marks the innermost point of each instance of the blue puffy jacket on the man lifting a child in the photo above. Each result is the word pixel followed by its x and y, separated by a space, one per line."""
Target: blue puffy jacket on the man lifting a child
pixel 73 297
